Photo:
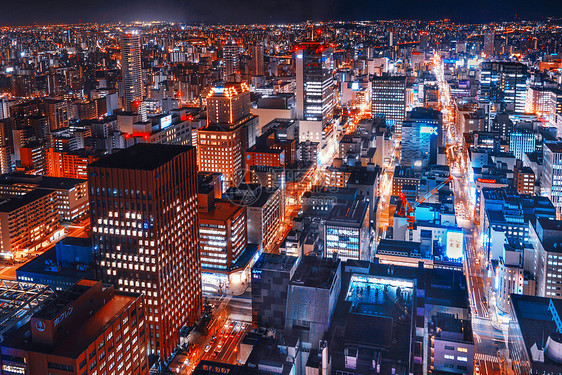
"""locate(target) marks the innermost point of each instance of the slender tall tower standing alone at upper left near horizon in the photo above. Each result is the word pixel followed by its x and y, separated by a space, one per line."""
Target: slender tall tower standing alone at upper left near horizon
pixel 131 69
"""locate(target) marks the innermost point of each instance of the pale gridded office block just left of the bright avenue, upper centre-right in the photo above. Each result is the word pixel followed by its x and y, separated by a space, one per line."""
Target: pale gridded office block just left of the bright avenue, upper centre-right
pixel 389 98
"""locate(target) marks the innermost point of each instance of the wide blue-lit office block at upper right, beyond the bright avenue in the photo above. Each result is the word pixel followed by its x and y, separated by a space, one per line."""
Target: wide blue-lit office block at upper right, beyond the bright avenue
pixel 504 82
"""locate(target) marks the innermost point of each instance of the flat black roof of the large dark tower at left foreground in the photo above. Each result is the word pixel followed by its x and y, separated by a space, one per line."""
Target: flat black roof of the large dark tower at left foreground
pixel 142 156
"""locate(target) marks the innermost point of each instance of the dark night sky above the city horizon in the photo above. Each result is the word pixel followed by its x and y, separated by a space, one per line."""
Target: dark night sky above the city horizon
pixel 18 12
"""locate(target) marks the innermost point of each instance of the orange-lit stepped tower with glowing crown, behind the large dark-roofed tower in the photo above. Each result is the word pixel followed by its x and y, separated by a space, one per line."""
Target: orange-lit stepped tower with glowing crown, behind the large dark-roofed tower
pixel 230 130
